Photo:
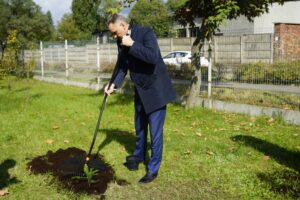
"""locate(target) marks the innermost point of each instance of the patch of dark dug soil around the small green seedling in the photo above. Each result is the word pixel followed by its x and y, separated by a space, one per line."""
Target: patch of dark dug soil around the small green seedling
pixel 67 167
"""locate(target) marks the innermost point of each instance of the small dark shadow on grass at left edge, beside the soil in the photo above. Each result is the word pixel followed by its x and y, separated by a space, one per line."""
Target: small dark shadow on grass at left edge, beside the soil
pixel 5 178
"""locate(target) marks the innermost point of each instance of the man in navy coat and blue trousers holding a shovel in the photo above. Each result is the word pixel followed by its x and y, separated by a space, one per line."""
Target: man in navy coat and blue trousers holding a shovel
pixel 139 54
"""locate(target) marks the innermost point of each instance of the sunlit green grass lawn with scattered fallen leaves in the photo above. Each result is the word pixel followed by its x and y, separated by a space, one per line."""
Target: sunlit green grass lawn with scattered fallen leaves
pixel 207 154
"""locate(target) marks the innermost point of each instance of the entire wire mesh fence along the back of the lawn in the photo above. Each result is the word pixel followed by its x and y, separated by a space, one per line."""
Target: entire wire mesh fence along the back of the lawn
pixel 245 69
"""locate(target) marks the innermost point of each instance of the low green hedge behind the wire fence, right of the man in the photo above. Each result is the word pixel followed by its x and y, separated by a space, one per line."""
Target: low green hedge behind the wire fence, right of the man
pixel 283 72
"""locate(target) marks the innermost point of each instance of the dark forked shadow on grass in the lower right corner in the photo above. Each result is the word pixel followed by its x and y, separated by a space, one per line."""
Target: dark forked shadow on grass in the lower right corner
pixel 284 182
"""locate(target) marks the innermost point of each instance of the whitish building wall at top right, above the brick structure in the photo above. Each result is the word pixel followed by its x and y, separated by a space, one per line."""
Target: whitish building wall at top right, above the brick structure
pixel 289 12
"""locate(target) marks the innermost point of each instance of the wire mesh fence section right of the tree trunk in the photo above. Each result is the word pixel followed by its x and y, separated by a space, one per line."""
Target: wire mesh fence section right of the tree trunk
pixel 248 69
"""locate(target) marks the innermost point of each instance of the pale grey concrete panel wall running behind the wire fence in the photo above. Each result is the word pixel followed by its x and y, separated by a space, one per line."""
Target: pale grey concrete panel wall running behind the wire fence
pixel 227 50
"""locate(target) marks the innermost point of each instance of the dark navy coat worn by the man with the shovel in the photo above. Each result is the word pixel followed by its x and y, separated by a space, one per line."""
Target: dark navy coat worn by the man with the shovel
pixel 147 69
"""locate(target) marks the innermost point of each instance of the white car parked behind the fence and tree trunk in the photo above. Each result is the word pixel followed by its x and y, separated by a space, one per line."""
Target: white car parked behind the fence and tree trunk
pixel 177 58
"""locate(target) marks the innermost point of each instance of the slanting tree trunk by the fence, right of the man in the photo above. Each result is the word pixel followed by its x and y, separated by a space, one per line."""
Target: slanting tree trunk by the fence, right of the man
pixel 196 79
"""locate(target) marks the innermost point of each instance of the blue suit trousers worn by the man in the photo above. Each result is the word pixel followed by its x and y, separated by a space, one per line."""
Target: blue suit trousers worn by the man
pixel 155 121
